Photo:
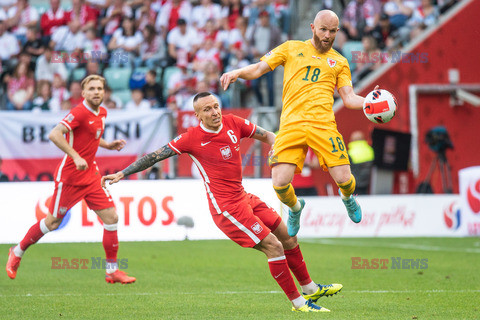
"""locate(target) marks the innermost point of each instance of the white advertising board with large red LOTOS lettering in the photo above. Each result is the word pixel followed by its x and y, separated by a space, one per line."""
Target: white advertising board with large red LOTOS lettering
pixel 148 211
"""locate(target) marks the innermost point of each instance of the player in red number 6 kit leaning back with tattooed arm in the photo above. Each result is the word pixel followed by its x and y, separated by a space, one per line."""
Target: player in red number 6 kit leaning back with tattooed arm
pixel 214 146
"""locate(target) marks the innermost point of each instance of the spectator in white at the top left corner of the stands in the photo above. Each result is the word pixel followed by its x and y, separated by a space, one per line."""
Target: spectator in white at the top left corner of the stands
pixel 20 17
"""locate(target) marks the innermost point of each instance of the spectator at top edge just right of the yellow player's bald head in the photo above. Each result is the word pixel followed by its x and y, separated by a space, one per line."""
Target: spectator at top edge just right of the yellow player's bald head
pixel 359 18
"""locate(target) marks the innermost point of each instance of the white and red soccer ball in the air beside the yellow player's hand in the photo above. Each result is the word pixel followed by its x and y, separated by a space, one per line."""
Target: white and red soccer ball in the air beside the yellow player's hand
pixel 380 106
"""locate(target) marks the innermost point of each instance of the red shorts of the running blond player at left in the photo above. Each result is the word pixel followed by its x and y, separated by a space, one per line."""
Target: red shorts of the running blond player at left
pixel 66 196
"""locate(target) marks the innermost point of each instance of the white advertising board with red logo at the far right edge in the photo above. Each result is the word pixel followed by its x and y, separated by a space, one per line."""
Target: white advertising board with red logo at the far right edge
pixel 469 187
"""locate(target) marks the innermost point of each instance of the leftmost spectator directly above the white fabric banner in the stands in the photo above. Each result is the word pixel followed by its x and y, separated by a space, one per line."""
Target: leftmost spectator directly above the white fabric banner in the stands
pixel 20 88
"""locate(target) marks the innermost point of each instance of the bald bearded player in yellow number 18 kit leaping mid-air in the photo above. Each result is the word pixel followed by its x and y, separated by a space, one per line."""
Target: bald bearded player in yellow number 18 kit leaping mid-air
pixel 312 69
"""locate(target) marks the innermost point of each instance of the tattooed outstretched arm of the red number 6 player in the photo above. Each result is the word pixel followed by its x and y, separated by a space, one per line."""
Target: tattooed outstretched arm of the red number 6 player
pixel 140 165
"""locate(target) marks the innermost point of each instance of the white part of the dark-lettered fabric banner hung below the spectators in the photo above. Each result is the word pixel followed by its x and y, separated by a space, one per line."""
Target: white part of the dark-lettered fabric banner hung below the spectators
pixel 24 135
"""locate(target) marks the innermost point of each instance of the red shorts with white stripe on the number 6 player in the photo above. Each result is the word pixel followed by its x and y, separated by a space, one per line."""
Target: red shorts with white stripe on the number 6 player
pixel 249 222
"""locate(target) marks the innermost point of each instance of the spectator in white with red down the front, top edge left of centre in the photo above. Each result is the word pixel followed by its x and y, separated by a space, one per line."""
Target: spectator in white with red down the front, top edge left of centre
pixel 169 15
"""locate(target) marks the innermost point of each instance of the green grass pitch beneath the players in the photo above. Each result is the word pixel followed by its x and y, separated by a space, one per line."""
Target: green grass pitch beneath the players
pixel 220 280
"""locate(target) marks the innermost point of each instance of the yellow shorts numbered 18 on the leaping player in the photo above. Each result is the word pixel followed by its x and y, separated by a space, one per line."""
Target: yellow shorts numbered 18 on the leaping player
pixel 291 146
